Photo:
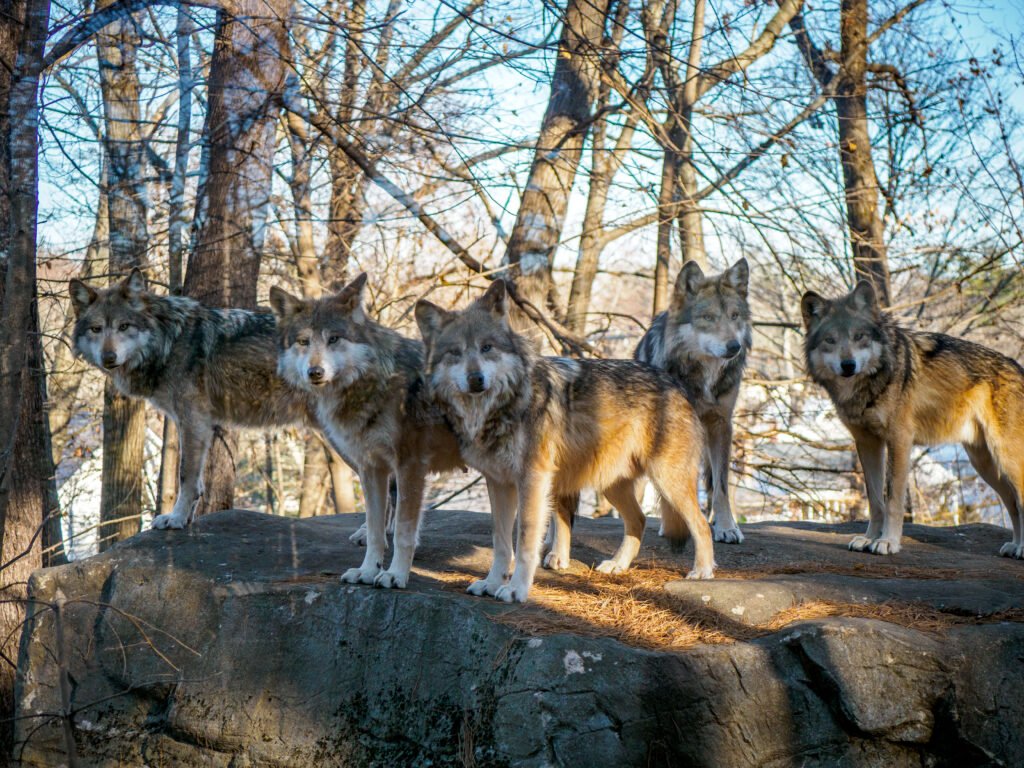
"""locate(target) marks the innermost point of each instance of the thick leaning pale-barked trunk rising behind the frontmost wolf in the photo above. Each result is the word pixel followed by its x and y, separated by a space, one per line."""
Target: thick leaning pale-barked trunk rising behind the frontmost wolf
pixel 560 146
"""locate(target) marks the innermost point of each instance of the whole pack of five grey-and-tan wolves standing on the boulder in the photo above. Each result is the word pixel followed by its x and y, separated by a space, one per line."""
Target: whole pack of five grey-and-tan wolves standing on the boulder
pixel 474 393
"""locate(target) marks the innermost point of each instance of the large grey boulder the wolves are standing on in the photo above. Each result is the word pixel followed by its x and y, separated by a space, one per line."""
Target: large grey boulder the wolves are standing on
pixel 234 645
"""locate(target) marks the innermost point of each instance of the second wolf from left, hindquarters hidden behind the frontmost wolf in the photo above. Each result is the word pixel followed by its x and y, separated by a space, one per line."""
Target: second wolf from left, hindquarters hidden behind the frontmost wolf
pixel 366 382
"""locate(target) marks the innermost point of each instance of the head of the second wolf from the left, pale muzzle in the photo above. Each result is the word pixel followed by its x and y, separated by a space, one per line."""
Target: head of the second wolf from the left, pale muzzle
pixel 324 342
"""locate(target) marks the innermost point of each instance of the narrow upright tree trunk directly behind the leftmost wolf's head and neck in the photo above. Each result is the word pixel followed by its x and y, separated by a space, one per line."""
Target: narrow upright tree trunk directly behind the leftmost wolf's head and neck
pixel 124 418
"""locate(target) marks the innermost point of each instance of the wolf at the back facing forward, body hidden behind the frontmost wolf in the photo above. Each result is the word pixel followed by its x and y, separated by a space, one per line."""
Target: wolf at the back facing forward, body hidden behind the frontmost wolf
pixel 703 342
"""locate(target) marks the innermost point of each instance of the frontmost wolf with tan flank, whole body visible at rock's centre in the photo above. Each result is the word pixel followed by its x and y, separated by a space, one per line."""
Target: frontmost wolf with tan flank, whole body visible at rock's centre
pixel 540 429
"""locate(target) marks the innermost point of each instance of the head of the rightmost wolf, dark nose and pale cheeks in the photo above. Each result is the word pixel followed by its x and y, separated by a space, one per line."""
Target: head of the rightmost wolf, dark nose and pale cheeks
pixel 845 336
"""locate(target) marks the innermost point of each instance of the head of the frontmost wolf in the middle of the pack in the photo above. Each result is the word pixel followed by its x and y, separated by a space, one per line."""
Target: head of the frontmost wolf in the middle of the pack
pixel 473 355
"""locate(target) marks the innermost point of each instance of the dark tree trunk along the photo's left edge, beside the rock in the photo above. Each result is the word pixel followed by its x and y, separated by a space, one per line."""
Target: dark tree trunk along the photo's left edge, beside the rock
pixel 26 461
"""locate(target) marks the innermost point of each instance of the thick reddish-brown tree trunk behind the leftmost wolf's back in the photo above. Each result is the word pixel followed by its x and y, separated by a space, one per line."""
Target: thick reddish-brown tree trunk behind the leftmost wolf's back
pixel 247 78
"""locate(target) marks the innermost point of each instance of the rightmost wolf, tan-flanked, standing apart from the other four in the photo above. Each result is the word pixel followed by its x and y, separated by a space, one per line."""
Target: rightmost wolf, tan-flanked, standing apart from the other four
pixel 897 389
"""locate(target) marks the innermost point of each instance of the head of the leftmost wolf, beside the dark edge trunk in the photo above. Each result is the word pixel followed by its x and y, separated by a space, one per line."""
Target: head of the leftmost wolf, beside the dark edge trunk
pixel 113 328
